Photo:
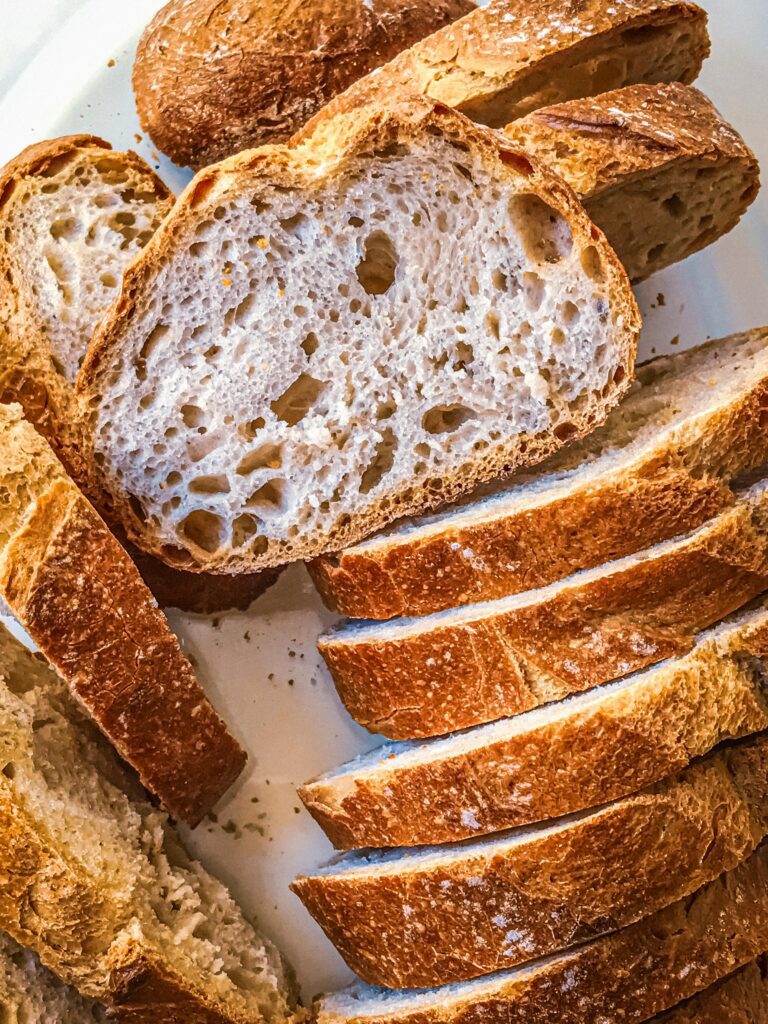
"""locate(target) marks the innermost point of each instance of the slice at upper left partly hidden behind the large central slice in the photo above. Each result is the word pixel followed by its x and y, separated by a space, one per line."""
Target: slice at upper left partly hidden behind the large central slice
pixel 73 216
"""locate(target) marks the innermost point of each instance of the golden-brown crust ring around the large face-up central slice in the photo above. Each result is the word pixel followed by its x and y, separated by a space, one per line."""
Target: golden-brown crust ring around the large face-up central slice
pixel 334 145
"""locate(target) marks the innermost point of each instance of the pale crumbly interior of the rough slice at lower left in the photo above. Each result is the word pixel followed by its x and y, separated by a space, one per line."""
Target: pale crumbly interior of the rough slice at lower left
pixel 66 780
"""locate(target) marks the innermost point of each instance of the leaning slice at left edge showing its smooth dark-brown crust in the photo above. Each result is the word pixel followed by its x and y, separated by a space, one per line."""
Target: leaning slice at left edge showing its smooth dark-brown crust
pixel 79 596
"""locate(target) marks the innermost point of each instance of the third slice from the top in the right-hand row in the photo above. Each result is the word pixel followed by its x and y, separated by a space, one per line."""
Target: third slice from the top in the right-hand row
pixel 591 749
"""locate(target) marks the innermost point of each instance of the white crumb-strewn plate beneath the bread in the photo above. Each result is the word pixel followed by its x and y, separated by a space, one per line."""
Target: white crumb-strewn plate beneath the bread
pixel 262 668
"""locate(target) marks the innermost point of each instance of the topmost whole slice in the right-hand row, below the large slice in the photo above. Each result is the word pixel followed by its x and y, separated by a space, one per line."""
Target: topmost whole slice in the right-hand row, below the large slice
pixel 663 463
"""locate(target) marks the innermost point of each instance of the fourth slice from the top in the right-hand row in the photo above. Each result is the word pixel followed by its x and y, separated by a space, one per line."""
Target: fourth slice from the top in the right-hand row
pixel 420 918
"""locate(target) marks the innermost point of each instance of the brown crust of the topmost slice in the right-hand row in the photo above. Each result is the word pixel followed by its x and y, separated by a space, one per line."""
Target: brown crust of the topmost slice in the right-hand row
pixel 667 492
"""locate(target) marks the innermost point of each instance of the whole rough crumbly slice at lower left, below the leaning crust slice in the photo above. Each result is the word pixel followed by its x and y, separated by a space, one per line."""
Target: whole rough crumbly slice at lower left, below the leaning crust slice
pixel 97 882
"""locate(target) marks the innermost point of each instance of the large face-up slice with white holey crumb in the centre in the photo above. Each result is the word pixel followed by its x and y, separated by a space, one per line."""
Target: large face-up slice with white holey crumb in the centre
pixel 325 336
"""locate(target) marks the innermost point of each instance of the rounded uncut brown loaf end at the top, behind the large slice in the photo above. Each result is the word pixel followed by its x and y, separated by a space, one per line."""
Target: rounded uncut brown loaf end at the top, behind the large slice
pixel 214 78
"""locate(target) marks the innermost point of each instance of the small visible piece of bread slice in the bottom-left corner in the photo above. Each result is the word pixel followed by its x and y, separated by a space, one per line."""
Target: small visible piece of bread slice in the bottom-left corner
pixel 31 995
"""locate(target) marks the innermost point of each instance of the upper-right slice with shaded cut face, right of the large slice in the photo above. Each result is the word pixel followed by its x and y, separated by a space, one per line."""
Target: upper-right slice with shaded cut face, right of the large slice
pixel 657 168
